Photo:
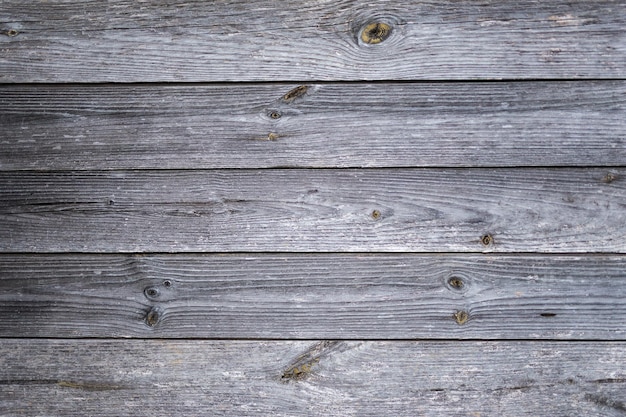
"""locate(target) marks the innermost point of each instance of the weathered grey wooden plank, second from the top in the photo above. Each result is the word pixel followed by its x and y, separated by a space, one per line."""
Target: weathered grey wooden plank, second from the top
pixel 314 125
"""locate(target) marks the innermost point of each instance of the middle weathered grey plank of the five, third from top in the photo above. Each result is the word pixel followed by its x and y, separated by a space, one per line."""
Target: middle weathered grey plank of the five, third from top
pixel 389 210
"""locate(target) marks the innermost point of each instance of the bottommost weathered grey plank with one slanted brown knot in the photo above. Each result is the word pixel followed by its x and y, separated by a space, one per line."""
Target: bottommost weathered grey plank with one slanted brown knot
pixel 252 378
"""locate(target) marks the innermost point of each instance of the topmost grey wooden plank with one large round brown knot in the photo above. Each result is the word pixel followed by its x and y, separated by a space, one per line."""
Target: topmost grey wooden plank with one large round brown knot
pixel 235 40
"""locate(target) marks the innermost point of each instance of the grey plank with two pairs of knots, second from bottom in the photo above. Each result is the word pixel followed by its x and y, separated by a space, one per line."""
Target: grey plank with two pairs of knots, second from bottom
pixel 314 296
